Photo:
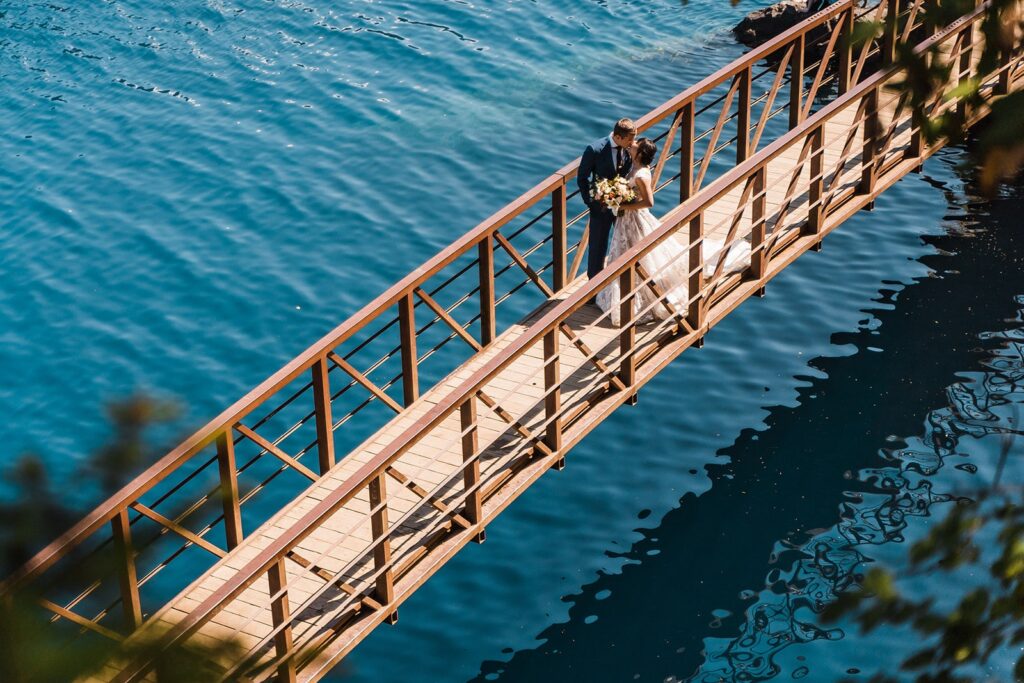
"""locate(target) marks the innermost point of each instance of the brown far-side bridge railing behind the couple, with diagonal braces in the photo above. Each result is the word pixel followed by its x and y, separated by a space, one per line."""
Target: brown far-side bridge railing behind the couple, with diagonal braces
pixel 285 434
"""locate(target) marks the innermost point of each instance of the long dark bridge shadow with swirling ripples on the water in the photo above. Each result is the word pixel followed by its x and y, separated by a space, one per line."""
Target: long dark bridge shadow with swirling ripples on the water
pixel 793 510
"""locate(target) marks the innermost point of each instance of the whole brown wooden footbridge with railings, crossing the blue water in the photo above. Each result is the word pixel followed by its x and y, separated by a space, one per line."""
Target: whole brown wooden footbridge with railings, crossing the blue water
pixel 458 388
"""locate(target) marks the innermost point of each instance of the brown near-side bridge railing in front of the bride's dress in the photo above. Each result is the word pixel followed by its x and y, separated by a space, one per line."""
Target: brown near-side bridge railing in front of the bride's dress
pixel 827 179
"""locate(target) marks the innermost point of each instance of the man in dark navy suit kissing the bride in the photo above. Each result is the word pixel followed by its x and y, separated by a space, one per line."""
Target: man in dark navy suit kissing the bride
pixel 604 159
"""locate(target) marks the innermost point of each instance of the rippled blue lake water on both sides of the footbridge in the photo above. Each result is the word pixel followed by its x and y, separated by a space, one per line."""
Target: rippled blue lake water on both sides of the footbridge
pixel 193 193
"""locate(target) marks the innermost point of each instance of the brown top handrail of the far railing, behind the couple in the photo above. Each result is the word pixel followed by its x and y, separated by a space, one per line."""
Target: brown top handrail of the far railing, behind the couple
pixel 222 424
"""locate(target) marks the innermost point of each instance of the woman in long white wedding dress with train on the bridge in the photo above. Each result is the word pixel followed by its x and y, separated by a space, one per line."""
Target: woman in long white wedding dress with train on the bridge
pixel 668 264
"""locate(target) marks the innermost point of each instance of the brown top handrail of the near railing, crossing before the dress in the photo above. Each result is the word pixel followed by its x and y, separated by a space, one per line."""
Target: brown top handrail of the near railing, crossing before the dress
pixel 540 330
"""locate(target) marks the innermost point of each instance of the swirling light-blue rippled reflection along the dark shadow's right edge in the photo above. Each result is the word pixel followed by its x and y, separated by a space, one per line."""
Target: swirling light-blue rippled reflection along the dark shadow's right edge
pixel 833 562
